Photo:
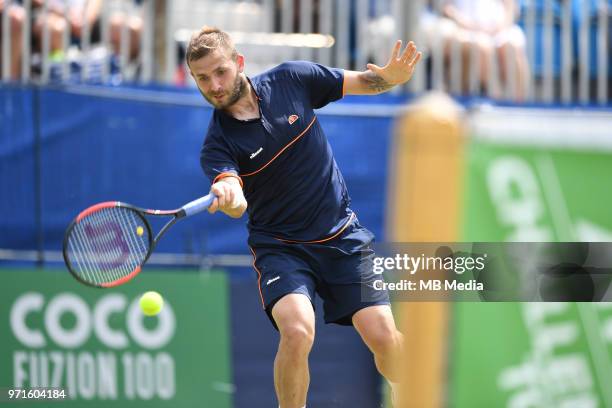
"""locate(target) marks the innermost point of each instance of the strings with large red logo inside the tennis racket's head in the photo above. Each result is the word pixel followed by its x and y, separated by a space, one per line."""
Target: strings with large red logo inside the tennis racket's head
pixel 105 246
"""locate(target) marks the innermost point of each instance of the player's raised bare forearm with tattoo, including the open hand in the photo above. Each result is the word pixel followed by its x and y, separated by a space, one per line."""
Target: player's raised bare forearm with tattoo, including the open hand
pixel 375 79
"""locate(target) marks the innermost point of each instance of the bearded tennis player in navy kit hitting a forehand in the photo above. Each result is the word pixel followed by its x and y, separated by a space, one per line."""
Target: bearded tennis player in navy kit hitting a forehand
pixel 266 153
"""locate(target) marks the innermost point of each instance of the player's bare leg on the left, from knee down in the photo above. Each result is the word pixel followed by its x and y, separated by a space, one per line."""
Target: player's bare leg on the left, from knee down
pixel 294 317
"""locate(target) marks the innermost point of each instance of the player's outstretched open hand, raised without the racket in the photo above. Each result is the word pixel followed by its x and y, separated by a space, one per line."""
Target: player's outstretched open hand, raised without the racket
pixel 399 68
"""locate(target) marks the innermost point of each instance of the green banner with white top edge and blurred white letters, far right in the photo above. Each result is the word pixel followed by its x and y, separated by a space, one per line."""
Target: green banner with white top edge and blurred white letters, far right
pixel 535 176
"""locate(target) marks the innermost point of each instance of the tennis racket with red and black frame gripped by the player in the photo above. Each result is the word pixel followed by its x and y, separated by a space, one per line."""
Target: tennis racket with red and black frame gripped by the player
pixel 107 244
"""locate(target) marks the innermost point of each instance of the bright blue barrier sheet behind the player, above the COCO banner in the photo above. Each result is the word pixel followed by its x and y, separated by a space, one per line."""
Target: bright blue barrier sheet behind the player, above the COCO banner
pixel 142 146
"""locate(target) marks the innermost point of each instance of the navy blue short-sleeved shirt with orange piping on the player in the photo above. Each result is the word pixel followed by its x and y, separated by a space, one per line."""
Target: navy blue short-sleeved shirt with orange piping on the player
pixel 291 181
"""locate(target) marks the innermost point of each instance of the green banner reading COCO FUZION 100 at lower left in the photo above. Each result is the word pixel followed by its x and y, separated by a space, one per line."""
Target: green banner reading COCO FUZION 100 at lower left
pixel 97 347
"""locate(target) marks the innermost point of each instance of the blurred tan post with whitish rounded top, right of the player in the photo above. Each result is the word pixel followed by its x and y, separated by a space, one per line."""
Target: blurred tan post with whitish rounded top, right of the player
pixel 424 198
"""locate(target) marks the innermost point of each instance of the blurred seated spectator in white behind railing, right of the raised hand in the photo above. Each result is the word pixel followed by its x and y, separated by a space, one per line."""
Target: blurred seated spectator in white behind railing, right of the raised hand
pixel 489 26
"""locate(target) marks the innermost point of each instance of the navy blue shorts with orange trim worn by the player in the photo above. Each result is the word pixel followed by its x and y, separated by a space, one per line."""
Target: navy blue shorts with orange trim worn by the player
pixel 339 270
